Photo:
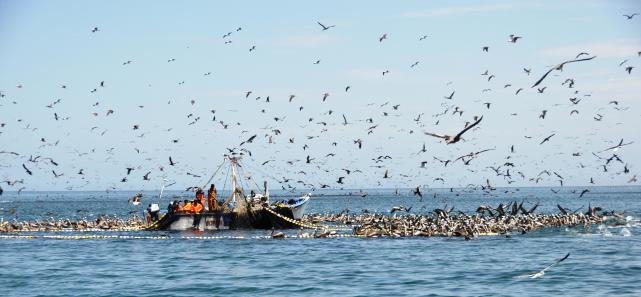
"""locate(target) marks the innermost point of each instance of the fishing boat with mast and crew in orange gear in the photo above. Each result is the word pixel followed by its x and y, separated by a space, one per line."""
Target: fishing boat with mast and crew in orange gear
pixel 239 210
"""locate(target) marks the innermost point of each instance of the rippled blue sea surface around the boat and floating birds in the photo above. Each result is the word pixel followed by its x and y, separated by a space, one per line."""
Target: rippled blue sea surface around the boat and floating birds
pixel 604 260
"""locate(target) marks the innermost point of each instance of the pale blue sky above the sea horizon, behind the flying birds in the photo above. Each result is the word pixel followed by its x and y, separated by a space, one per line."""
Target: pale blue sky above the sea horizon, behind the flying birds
pixel 46 44
